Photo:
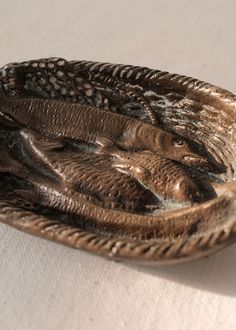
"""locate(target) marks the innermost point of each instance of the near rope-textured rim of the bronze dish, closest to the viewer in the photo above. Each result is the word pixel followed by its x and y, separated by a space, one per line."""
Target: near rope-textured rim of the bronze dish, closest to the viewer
pixel 147 252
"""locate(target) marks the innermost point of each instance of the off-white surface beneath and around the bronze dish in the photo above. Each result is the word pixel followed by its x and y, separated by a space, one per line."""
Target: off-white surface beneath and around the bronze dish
pixel 47 286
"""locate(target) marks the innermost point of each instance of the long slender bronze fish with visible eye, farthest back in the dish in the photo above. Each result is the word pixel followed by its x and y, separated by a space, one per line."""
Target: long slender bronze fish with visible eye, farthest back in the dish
pixel 55 118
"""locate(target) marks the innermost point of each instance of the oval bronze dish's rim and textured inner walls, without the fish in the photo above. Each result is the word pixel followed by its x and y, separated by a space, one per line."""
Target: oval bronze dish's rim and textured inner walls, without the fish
pixel 198 111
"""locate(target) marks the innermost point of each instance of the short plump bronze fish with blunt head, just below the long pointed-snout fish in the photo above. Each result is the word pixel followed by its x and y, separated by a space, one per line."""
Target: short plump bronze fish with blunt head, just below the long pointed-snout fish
pixel 161 175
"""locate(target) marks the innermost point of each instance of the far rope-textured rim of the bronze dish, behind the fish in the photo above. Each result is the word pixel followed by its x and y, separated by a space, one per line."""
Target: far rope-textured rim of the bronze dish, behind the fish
pixel 127 72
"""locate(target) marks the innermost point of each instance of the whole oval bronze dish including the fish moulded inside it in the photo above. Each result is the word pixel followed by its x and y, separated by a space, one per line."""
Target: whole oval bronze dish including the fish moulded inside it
pixel 122 161
